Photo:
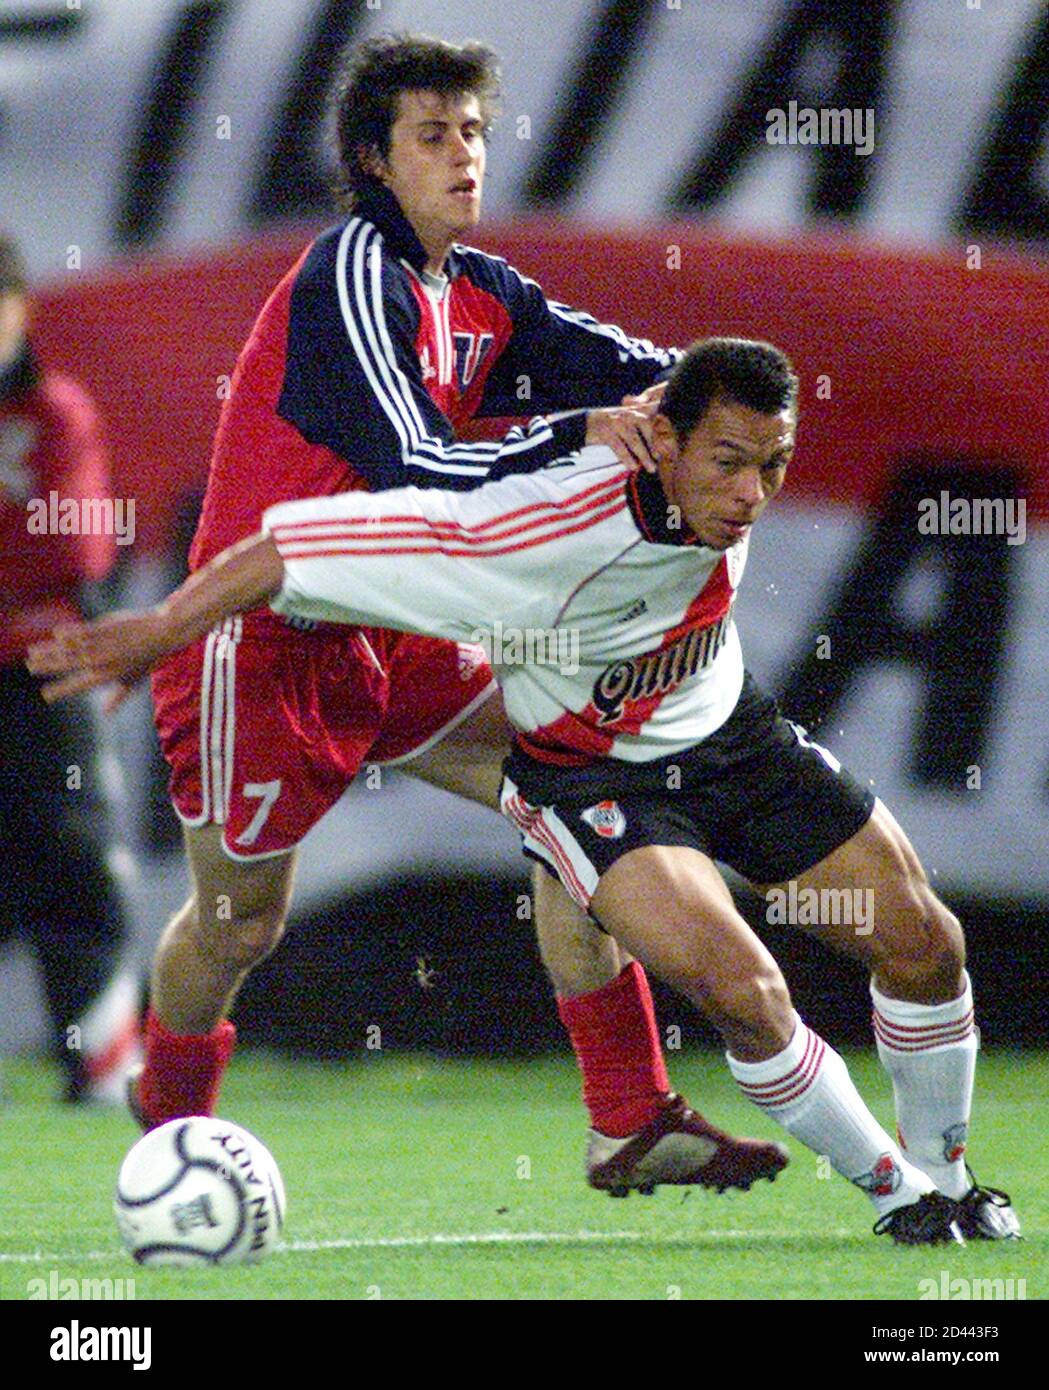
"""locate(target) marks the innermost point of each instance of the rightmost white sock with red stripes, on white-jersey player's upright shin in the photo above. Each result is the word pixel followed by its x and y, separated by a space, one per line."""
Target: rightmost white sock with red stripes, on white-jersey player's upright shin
pixel 930 1052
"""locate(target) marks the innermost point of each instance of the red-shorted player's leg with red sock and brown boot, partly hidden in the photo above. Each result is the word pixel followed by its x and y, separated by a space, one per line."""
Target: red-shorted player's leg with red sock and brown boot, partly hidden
pixel 643 1135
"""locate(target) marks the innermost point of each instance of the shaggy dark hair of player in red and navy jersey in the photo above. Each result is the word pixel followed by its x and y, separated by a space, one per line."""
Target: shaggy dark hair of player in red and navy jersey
pixel 369 83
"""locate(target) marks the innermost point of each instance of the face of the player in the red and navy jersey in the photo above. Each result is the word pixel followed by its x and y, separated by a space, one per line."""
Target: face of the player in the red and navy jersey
pixel 437 165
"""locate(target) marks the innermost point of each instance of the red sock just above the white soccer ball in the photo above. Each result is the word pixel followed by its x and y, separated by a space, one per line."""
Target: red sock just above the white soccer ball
pixel 183 1072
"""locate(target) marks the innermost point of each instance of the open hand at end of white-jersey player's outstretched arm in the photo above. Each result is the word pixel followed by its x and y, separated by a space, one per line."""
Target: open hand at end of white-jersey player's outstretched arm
pixel 119 650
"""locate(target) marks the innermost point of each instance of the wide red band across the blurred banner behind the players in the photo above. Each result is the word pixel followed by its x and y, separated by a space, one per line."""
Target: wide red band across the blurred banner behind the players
pixel 941 355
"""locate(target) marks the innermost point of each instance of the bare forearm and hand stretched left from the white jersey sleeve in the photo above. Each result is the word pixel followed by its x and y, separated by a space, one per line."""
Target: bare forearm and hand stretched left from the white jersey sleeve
pixel 126 647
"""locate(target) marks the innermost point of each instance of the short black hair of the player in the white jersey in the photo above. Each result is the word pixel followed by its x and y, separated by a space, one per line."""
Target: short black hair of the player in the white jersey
pixel 748 373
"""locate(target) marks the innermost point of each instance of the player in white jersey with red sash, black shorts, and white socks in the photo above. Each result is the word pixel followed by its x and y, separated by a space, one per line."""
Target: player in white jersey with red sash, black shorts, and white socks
pixel 650 753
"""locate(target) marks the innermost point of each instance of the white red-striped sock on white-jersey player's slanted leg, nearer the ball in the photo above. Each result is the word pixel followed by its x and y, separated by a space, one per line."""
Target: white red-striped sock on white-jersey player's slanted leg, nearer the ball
pixel 808 1089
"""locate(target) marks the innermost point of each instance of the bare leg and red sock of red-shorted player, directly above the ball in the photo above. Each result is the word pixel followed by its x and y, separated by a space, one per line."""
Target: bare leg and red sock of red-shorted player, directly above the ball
pixel 233 921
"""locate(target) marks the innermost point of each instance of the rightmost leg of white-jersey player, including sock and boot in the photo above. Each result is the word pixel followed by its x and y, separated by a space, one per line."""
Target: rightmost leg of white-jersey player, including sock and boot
pixel 923 1004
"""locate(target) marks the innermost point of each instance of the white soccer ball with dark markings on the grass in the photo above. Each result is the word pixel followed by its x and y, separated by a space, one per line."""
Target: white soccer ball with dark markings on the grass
pixel 199 1192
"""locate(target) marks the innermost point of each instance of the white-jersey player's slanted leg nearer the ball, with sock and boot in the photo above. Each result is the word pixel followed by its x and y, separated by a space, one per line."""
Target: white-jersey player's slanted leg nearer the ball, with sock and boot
pixel 673 911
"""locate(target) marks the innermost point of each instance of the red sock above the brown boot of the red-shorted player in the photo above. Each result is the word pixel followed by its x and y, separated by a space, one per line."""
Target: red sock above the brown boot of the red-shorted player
pixel 618 1046
